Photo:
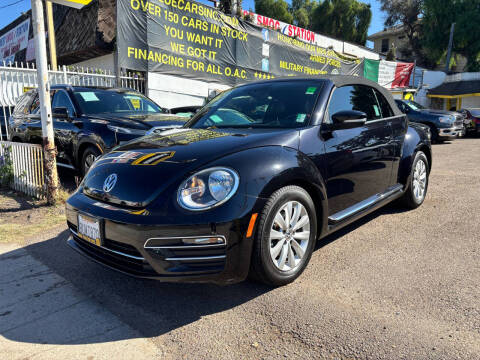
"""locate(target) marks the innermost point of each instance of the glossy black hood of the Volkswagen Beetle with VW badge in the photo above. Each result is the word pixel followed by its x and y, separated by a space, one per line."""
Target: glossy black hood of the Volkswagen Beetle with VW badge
pixel 149 165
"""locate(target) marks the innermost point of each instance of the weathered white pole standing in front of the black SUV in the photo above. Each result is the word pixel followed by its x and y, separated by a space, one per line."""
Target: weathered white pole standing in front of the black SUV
pixel 49 150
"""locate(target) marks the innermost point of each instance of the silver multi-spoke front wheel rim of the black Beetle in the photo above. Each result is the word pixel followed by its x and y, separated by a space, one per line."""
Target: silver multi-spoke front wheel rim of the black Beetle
pixel 289 236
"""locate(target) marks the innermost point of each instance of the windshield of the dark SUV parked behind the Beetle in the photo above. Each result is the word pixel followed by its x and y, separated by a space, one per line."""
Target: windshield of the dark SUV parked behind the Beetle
pixel 96 101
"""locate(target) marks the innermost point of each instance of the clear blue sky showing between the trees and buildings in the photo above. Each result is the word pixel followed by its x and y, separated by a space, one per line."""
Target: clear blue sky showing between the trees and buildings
pixel 10 13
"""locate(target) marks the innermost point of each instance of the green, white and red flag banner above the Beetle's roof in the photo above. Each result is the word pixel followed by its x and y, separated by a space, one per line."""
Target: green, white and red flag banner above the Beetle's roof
pixel 389 74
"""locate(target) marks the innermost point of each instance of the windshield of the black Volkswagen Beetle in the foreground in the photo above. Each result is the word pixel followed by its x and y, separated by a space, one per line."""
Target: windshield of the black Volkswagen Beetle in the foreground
pixel 284 104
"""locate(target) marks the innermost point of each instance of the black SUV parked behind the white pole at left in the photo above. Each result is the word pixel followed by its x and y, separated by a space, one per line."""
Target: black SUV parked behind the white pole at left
pixel 89 121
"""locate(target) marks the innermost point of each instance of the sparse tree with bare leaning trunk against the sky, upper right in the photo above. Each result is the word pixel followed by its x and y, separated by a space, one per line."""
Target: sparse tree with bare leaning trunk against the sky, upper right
pixel 407 14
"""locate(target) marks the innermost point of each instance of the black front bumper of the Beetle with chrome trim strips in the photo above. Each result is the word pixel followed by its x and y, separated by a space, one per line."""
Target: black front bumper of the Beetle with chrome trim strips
pixel 158 251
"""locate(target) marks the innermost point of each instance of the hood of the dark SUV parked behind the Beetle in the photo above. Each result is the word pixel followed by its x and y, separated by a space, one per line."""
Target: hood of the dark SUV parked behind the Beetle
pixel 141 121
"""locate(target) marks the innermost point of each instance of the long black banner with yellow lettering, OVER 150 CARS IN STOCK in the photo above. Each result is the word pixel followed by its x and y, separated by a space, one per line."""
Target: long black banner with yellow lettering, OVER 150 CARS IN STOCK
pixel 181 37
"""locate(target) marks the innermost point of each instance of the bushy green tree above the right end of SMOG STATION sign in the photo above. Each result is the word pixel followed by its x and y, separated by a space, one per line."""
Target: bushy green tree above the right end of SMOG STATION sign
pixel 347 20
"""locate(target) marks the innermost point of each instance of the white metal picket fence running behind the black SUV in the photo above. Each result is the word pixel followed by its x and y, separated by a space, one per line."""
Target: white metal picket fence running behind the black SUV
pixel 15 79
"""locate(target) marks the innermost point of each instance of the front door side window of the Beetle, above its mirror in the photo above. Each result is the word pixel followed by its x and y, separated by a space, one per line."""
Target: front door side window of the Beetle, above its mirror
pixel 355 97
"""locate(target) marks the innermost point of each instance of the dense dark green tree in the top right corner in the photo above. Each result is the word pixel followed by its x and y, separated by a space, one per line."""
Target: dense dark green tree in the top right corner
pixel 438 18
